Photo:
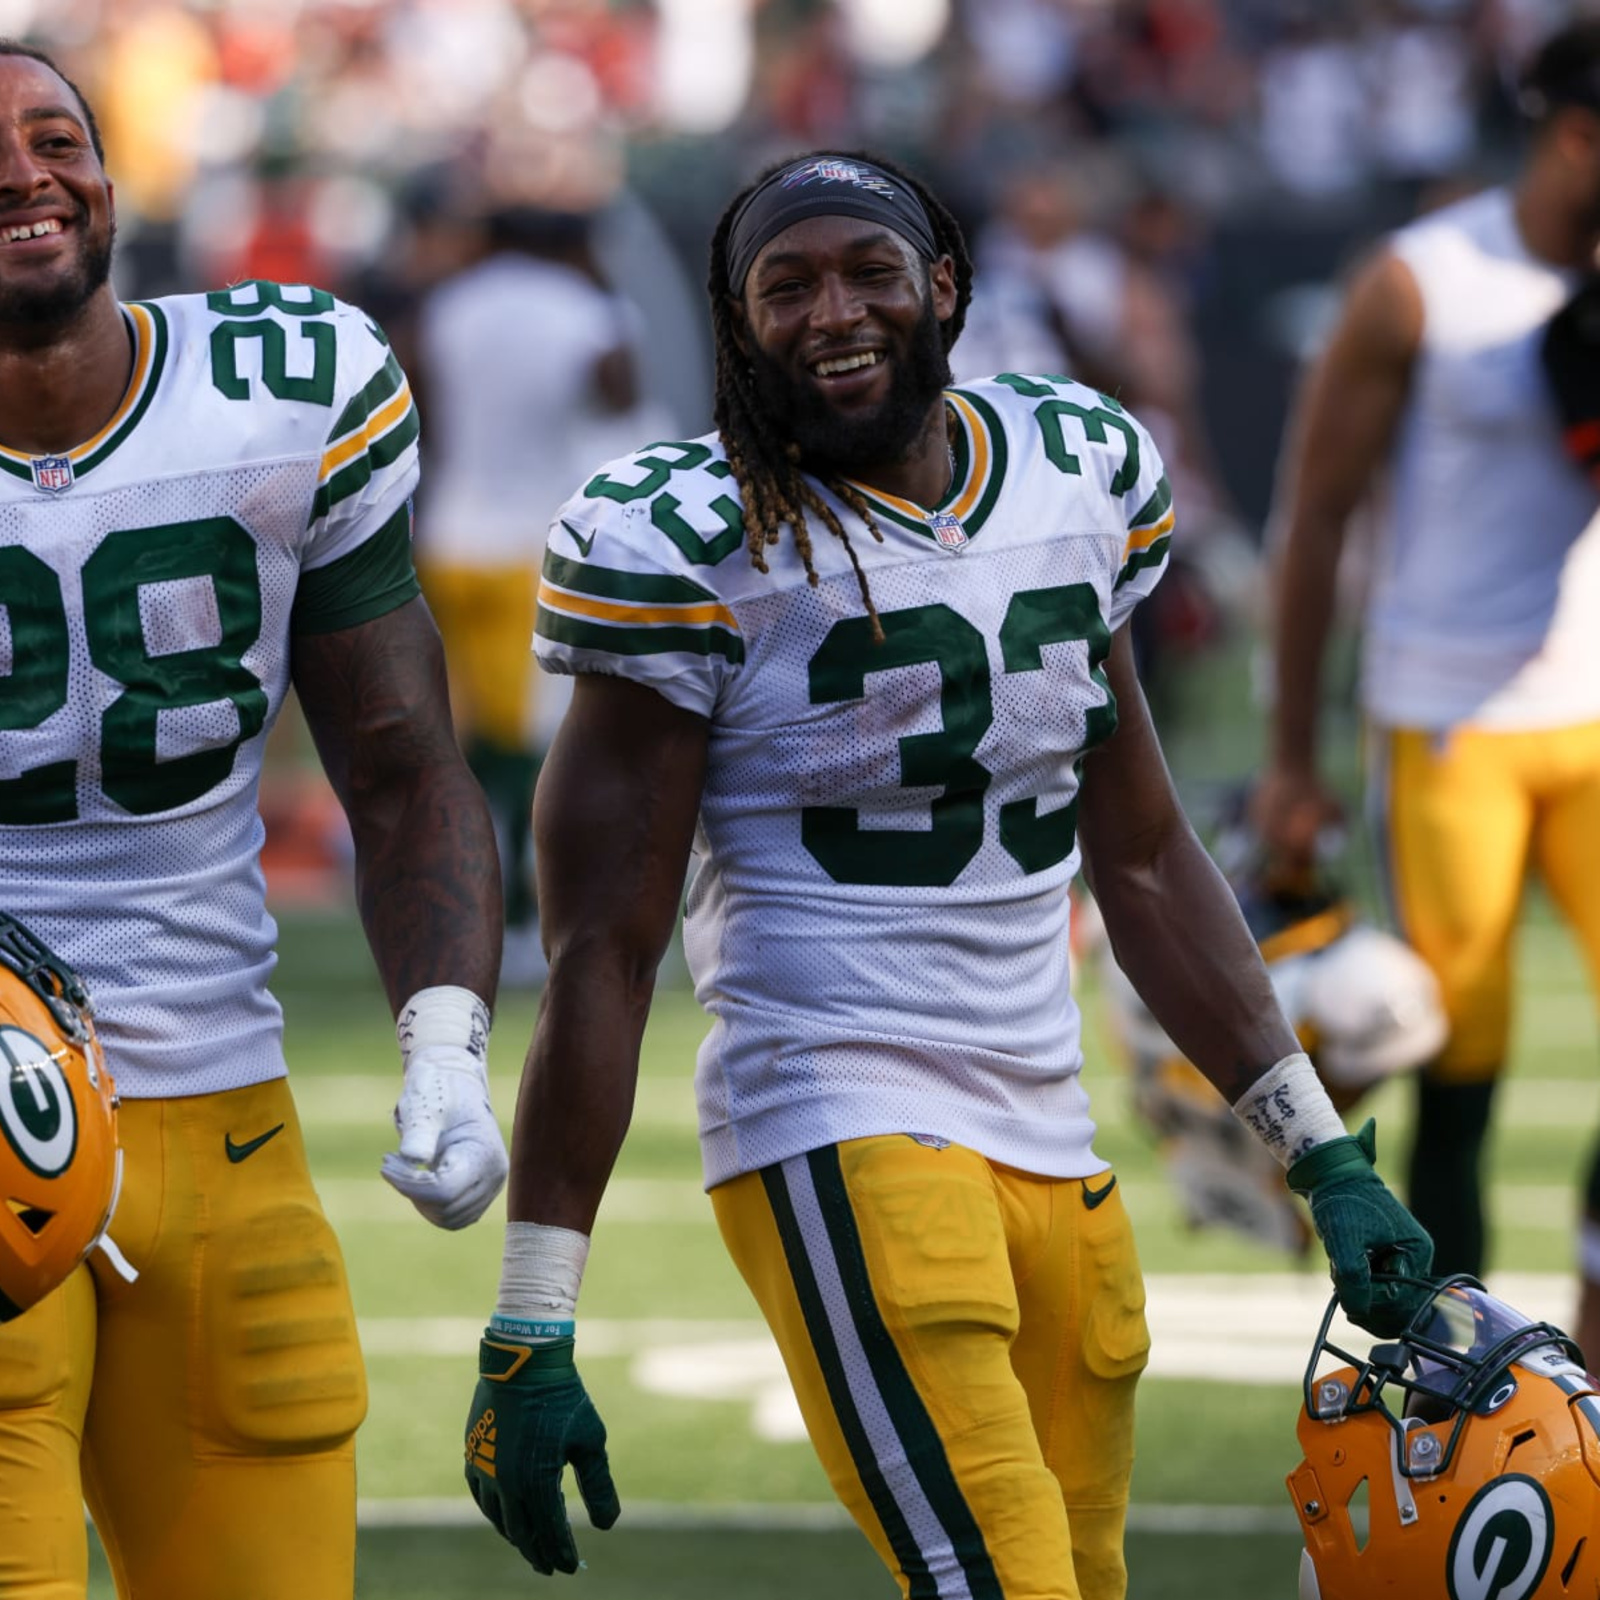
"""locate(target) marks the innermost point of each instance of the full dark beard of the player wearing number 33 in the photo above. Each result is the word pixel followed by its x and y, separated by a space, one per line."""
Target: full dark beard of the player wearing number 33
pixel 833 444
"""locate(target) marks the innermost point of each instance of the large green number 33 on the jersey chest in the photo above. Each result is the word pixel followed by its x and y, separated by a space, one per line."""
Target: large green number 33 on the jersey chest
pixel 934 858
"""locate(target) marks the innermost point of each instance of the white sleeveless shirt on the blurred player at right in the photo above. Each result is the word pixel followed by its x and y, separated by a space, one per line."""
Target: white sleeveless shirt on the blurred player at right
pixel 1486 602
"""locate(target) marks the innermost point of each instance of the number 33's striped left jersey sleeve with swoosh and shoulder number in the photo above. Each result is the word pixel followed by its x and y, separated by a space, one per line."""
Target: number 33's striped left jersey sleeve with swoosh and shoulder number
pixel 626 585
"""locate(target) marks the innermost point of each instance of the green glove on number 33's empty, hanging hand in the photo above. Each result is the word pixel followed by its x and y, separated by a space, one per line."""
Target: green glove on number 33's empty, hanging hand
pixel 530 1418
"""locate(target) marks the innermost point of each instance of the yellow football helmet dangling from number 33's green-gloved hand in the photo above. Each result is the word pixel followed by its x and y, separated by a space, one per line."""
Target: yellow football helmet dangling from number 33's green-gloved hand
pixel 1457 1463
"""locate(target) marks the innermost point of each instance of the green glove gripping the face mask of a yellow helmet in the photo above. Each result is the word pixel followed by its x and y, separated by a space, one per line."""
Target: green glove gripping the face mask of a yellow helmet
pixel 1378 1254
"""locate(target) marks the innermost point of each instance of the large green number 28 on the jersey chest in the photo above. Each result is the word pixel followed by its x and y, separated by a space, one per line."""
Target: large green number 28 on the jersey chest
pixel 217 551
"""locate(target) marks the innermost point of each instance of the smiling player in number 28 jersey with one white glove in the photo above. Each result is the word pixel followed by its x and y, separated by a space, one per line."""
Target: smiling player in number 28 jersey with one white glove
pixel 204 500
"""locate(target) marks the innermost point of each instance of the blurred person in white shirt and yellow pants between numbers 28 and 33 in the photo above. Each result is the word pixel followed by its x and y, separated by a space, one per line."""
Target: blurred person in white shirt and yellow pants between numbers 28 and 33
pixel 518 356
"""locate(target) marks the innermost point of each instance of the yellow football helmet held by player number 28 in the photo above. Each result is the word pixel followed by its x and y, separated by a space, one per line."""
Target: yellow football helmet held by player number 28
pixel 60 1164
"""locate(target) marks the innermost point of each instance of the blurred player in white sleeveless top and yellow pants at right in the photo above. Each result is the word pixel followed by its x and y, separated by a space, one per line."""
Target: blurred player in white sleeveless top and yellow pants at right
pixel 1481 678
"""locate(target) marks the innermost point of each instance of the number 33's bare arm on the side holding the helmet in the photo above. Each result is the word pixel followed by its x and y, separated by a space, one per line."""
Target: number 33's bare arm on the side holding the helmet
pixel 1172 919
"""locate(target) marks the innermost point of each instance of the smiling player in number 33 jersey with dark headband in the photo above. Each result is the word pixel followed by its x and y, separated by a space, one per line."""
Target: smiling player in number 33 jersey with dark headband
pixel 857 649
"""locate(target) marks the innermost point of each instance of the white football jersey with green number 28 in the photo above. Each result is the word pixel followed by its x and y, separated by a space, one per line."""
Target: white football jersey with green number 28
pixel 254 484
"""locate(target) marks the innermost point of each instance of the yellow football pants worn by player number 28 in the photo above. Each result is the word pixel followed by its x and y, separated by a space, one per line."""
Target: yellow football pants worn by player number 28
pixel 206 1412
